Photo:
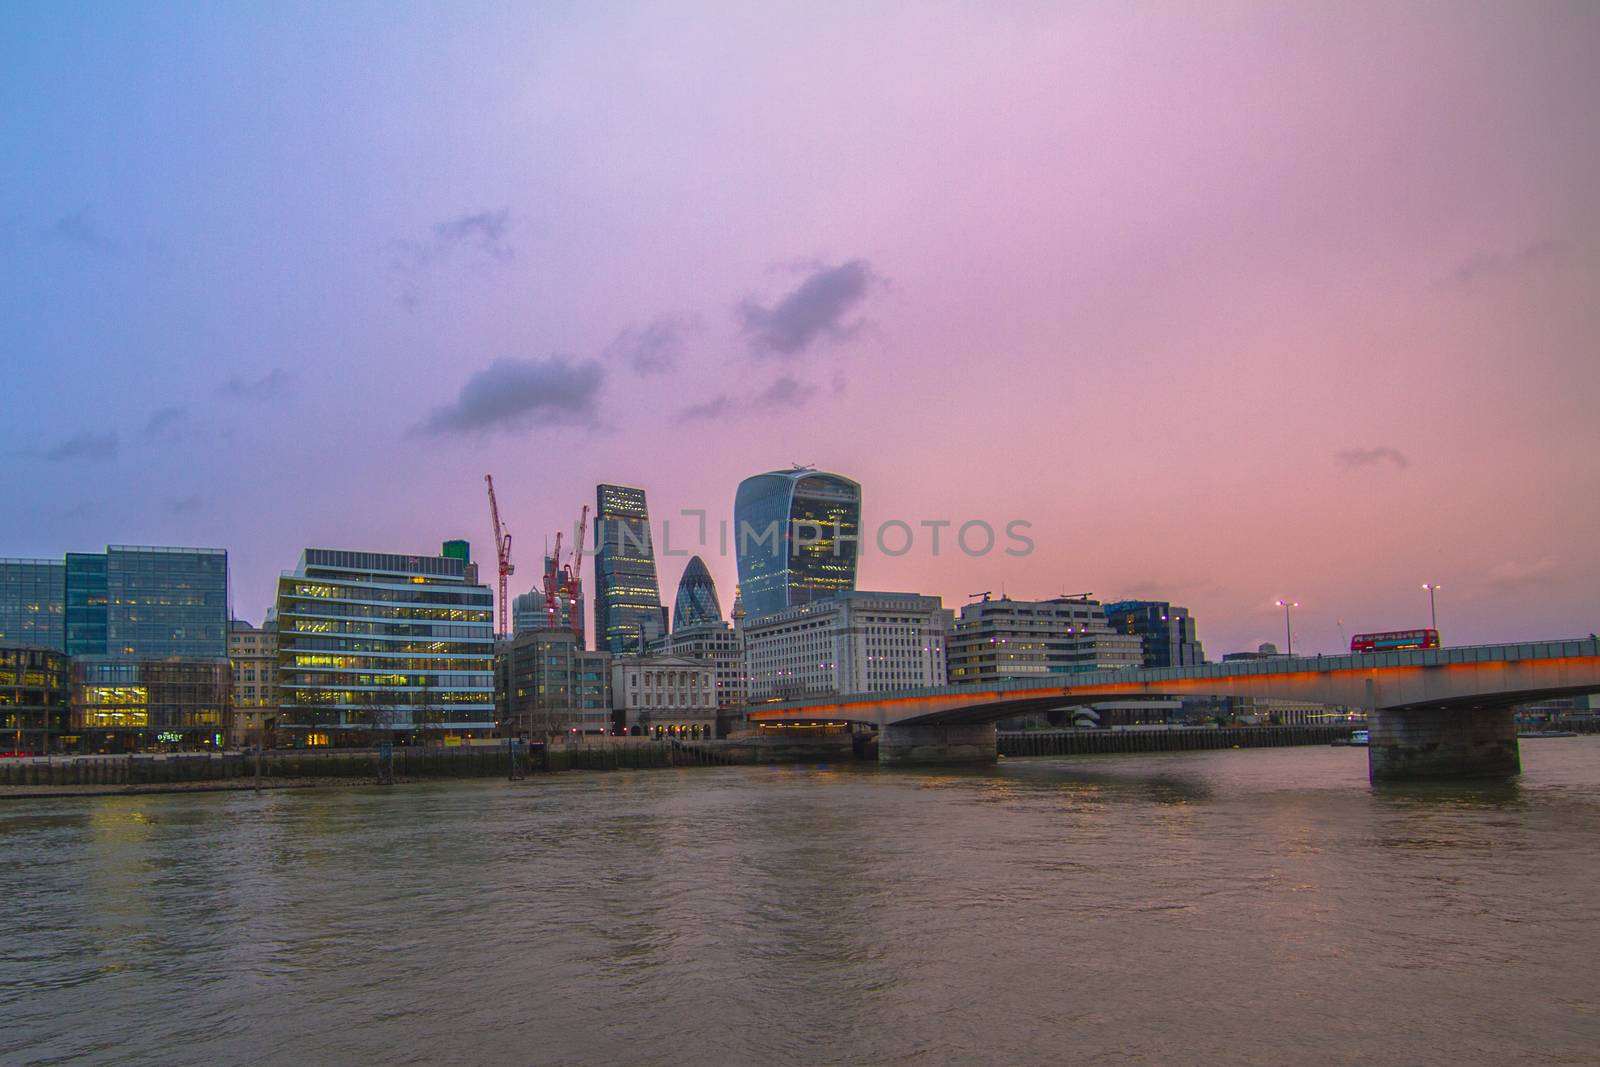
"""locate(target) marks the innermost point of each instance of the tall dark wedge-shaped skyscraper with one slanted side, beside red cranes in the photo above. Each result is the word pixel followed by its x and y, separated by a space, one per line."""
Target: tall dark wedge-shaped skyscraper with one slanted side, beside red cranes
pixel 628 597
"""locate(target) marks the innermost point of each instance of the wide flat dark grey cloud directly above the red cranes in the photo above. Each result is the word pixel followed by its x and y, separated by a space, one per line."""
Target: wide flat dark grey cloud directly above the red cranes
pixel 516 394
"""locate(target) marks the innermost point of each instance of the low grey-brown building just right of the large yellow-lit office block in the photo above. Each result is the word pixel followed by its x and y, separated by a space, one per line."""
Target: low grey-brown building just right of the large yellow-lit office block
pixel 548 684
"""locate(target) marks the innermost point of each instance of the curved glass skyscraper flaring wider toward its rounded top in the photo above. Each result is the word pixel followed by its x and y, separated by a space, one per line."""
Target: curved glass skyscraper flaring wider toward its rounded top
pixel 796 538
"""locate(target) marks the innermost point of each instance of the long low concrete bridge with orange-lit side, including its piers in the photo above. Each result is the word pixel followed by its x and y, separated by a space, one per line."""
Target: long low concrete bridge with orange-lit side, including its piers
pixel 1433 713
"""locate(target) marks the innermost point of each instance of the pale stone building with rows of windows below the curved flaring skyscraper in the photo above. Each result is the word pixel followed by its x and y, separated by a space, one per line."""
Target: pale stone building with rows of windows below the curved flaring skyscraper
pixel 854 642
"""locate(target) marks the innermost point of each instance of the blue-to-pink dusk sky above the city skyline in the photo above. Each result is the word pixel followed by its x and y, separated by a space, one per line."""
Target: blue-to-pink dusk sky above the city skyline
pixel 1230 303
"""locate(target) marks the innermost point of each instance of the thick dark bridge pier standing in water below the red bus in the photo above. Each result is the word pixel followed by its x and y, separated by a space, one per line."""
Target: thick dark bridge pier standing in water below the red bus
pixel 1479 743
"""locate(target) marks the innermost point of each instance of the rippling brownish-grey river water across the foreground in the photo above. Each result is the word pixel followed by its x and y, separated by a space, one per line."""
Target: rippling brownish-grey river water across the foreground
pixel 1257 908
